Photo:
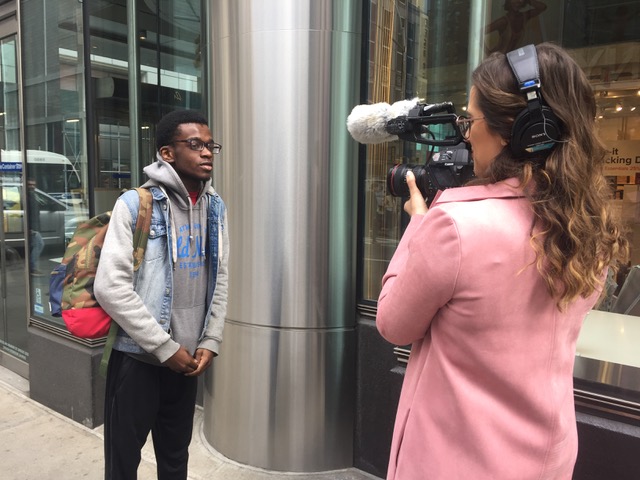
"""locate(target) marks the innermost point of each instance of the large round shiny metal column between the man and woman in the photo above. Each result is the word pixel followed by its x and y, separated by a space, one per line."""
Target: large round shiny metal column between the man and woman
pixel 286 74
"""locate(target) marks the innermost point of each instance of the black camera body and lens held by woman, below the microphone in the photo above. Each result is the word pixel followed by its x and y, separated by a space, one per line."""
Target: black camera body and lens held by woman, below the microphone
pixel 451 167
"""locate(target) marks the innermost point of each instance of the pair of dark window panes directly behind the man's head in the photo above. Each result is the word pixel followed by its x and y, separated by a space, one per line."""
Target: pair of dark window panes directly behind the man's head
pixel 169 74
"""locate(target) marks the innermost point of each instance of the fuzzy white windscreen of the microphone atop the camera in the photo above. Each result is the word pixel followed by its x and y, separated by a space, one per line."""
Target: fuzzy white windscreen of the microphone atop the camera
pixel 368 123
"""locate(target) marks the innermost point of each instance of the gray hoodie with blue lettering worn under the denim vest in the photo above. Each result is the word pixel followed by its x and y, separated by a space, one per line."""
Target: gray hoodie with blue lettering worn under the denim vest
pixel 188 248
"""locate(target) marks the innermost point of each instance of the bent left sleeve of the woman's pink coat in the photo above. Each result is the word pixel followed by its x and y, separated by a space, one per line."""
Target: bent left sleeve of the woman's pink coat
pixel 420 279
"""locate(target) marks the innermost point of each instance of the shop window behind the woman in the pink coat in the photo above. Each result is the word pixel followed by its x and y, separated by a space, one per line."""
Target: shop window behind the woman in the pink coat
pixel 414 52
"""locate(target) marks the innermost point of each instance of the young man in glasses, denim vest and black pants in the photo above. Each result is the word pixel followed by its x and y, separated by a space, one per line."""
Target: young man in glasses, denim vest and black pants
pixel 171 311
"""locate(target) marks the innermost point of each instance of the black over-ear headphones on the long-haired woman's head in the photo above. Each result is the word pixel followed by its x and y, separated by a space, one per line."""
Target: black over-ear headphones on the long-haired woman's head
pixel 536 128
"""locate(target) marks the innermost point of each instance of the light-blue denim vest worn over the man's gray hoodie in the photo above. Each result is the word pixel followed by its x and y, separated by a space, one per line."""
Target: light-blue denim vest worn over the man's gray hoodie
pixel 154 279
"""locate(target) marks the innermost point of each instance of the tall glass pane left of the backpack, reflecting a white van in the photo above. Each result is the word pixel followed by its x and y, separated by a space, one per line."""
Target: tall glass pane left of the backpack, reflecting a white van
pixel 55 123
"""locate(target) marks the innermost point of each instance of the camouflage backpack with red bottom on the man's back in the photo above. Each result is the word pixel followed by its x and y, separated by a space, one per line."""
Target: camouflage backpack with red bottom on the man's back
pixel 71 283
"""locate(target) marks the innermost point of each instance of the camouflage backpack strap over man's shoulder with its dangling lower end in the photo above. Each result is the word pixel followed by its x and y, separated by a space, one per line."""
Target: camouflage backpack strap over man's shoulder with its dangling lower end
pixel 140 237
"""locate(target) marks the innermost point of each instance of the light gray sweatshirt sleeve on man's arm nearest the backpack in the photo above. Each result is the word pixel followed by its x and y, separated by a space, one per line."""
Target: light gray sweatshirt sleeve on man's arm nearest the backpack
pixel 113 288
